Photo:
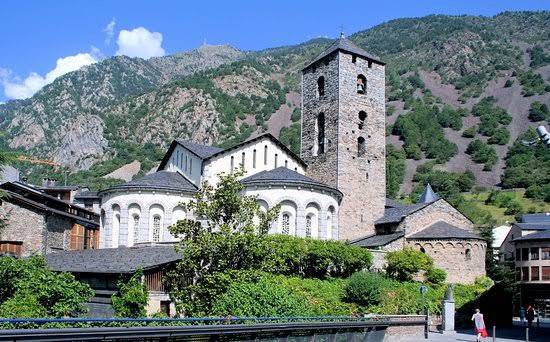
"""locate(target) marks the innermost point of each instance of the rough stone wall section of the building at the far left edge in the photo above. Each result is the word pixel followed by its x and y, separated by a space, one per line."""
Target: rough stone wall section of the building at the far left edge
pixel 22 224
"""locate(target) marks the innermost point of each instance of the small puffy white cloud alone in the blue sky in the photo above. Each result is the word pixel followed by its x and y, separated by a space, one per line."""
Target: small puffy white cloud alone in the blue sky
pixel 140 42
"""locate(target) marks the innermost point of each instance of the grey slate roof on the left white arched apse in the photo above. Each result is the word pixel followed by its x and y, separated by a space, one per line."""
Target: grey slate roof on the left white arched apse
pixel 163 180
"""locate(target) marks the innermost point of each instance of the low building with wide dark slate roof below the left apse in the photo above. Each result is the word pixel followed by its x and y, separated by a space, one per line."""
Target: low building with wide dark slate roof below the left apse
pixel 102 269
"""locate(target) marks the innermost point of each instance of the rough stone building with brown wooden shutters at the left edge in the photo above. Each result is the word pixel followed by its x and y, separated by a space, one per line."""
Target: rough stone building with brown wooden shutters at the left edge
pixel 35 222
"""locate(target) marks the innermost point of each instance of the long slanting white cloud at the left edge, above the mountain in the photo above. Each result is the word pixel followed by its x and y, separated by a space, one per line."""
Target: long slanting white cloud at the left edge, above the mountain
pixel 15 88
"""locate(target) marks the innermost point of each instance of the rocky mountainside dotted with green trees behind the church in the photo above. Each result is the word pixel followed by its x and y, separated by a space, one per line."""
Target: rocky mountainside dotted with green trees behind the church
pixel 461 91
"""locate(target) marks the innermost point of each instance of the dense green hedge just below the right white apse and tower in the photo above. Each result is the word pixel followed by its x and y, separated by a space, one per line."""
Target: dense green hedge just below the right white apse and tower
pixel 315 258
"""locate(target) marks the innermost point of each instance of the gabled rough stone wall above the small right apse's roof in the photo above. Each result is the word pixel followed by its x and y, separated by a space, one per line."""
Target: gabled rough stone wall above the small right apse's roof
pixel 437 211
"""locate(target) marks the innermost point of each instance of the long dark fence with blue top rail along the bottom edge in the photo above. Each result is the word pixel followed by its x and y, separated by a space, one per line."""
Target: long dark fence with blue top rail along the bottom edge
pixel 333 328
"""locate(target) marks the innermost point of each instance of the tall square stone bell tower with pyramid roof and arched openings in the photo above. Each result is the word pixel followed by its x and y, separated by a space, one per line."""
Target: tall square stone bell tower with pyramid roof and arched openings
pixel 343 132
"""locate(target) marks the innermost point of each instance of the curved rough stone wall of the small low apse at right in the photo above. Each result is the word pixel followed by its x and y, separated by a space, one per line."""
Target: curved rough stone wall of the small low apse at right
pixel 450 255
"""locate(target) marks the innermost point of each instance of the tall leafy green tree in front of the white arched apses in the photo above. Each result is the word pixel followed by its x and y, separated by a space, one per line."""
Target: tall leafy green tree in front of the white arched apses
pixel 230 235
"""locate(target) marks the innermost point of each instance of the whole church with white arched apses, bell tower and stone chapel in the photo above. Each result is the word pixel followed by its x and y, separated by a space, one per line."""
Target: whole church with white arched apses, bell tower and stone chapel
pixel 335 189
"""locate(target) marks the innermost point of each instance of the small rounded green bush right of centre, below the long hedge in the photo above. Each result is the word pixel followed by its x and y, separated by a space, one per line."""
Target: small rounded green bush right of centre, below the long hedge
pixel 365 288
